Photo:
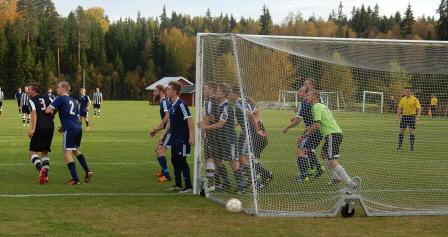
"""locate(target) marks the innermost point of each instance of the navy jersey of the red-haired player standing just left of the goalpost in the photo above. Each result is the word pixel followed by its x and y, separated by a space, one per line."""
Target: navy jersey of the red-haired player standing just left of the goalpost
pixel 179 113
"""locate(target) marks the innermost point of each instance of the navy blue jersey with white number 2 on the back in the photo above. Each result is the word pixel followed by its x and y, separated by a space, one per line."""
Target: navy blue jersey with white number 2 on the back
pixel 68 112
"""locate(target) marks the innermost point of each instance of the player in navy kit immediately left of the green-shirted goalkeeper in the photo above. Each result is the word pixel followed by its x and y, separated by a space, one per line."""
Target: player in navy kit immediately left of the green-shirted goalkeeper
pixel 307 146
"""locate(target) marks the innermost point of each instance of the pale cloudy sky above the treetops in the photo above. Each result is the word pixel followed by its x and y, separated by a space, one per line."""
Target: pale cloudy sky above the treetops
pixel 248 8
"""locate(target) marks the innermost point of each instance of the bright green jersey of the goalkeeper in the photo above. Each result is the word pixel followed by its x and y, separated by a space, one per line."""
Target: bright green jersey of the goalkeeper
pixel 328 124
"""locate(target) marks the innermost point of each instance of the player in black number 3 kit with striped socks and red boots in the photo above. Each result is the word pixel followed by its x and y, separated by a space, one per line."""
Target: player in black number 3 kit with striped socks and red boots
pixel 41 132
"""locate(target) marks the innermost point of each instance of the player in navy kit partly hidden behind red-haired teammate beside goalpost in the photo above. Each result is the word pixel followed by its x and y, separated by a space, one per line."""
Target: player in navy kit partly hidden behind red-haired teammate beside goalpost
pixel 165 105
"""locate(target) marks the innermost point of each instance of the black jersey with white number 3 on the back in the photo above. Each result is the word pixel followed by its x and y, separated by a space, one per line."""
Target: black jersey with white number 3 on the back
pixel 39 103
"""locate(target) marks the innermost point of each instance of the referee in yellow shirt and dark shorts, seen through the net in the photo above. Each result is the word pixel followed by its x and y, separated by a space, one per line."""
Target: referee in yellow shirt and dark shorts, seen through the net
pixel 409 109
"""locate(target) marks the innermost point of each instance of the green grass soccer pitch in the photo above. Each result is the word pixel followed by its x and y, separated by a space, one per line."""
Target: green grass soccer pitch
pixel 124 199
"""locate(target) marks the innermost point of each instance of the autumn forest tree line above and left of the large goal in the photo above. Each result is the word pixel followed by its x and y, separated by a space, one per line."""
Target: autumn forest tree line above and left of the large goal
pixel 122 57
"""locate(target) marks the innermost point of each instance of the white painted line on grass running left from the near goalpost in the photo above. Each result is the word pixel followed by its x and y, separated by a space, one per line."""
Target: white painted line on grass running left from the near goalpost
pixel 90 194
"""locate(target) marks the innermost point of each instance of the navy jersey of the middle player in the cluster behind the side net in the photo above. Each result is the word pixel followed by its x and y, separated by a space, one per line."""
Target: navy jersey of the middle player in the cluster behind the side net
pixel 226 113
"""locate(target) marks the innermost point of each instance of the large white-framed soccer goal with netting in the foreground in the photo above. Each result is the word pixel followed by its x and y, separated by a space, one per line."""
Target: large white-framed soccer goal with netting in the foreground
pixel 241 75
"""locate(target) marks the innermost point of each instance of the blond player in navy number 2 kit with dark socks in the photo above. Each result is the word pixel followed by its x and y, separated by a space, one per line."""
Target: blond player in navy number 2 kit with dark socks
pixel 71 127
